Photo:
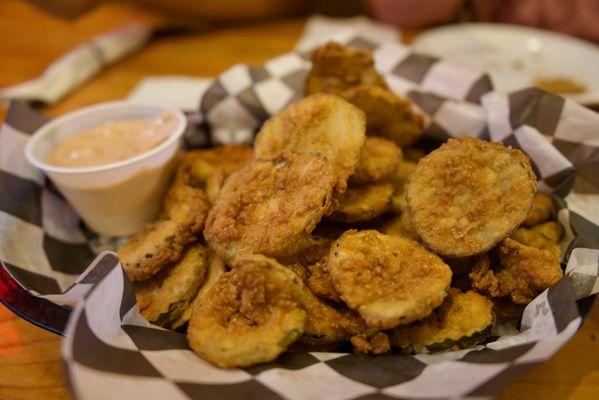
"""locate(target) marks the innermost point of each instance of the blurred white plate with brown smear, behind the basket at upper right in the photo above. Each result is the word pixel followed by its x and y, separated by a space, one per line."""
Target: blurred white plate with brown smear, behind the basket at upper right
pixel 515 56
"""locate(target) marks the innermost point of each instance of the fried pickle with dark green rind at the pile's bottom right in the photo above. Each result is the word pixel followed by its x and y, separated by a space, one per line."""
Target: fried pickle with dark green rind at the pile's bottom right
pixel 463 320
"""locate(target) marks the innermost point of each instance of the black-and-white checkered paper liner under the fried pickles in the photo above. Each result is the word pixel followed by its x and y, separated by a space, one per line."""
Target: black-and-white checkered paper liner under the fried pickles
pixel 111 351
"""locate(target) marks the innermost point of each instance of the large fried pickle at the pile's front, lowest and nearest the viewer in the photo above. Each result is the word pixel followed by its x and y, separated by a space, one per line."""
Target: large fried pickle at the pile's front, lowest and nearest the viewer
pixel 250 315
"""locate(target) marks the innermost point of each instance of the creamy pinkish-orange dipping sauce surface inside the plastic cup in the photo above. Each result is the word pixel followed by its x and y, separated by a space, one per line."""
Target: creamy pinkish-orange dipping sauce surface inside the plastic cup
pixel 112 142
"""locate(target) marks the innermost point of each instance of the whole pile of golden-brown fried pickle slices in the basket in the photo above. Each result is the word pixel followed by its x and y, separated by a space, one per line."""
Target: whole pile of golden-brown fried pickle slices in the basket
pixel 337 230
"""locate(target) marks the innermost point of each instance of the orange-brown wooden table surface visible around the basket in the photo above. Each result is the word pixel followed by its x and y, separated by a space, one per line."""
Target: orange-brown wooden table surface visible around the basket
pixel 30 365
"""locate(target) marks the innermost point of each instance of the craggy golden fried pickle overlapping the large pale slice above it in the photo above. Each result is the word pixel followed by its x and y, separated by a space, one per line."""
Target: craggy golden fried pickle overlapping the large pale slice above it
pixel 270 207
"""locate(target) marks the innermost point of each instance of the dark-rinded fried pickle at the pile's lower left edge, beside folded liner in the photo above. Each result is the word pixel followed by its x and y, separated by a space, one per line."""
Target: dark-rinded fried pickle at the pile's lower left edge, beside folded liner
pixel 163 298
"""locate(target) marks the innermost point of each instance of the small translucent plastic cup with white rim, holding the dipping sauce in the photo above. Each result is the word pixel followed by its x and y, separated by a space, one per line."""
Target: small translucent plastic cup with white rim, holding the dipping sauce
pixel 116 199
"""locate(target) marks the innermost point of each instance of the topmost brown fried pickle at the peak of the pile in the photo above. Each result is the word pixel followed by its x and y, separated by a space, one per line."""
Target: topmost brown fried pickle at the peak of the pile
pixel 336 68
